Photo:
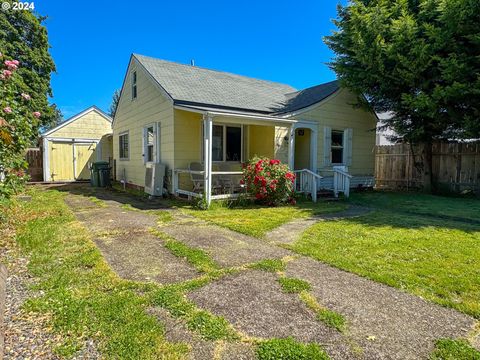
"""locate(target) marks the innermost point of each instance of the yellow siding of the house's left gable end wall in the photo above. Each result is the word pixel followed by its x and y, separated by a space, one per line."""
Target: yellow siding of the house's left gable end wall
pixel 150 106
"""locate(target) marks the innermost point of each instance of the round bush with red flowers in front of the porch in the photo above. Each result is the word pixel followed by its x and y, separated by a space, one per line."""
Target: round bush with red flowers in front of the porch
pixel 269 181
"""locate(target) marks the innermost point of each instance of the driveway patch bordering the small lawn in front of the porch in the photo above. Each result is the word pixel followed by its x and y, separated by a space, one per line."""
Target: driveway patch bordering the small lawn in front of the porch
pixel 228 248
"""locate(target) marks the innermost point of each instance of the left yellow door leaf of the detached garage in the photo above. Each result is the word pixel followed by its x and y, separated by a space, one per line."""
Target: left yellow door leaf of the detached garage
pixel 61 161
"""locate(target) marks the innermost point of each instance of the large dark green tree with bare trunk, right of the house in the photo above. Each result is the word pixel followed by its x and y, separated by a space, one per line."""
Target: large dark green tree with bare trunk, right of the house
pixel 419 59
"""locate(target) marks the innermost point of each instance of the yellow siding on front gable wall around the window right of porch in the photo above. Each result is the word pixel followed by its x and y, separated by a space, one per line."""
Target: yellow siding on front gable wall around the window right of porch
pixel 338 113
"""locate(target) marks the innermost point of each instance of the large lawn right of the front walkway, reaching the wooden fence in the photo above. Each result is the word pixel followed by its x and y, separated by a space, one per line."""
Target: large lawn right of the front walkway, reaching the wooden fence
pixel 436 259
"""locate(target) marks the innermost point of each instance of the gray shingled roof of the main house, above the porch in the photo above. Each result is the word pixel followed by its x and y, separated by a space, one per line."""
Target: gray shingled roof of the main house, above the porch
pixel 191 85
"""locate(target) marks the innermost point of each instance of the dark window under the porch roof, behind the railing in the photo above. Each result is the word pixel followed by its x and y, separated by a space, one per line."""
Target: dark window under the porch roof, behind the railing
pixel 226 143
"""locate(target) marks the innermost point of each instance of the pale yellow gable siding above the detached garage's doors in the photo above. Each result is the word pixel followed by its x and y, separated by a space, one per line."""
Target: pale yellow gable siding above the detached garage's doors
pixel 90 126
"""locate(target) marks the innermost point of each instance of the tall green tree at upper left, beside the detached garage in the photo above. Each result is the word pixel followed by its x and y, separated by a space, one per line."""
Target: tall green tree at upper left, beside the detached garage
pixel 24 38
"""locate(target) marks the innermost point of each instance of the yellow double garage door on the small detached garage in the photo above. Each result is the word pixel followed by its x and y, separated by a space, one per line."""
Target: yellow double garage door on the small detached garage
pixel 70 161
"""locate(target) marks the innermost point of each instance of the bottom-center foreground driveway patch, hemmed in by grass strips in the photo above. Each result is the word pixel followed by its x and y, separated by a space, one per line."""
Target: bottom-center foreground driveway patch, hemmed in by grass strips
pixel 254 303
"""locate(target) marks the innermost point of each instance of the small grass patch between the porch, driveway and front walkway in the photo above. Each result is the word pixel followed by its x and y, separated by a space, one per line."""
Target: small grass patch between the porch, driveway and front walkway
pixel 255 220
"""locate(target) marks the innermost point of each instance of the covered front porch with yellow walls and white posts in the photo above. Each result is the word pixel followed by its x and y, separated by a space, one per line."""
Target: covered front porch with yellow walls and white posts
pixel 208 162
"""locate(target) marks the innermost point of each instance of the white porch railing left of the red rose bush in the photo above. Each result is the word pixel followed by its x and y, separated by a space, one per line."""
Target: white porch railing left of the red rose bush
pixel 221 189
